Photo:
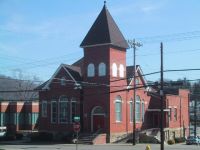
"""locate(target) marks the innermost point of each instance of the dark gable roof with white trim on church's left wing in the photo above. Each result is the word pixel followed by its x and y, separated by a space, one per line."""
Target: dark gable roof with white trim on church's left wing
pixel 73 71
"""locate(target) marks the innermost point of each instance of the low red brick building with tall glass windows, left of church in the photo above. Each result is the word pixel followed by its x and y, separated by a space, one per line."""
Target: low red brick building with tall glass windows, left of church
pixel 19 115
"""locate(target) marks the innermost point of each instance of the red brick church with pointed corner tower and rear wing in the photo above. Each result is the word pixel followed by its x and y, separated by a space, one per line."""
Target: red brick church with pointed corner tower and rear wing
pixel 99 89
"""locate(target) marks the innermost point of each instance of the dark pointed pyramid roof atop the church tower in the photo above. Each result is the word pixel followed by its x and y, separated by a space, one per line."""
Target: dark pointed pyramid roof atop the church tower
pixel 104 31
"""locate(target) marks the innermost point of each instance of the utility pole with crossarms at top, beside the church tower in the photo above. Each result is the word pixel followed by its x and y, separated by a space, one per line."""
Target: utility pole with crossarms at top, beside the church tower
pixel 133 44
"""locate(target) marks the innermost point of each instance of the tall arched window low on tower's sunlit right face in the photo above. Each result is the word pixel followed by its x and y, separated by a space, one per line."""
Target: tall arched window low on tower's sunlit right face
pixel 118 109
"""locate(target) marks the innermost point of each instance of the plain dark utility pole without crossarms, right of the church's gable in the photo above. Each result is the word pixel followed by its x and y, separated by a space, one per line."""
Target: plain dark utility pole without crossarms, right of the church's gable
pixel 161 100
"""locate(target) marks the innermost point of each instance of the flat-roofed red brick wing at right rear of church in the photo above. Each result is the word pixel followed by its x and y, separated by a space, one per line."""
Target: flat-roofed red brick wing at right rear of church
pixel 176 112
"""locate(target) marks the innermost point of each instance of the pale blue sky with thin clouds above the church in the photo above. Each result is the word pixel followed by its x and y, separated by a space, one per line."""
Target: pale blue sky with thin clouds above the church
pixel 36 36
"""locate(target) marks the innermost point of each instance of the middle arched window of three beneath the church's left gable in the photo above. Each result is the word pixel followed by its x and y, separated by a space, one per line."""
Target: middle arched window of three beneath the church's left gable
pixel 63 109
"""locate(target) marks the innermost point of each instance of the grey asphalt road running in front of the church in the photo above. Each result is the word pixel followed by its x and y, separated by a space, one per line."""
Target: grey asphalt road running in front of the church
pixel 97 147
